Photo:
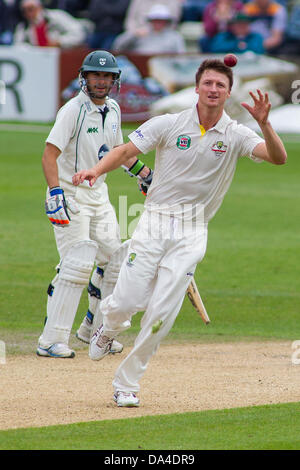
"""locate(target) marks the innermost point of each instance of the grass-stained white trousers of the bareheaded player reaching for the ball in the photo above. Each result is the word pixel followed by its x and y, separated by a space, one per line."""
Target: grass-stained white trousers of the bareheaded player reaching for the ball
pixel 153 278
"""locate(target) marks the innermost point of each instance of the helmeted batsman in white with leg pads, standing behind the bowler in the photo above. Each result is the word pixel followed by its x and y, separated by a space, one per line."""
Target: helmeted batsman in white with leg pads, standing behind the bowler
pixel 85 226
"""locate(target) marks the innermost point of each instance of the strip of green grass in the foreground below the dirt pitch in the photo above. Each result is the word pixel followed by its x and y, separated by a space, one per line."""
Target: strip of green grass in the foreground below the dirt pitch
pixel 274 427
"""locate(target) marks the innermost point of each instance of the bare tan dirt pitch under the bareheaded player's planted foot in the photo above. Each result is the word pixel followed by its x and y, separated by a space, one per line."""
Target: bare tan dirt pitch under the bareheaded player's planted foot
pixel 187 377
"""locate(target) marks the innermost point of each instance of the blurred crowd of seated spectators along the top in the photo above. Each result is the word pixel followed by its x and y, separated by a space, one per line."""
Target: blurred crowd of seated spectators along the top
pixel 150 27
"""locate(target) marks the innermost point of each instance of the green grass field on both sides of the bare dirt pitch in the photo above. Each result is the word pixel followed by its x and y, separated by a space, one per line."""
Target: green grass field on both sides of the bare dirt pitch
pixel 249 281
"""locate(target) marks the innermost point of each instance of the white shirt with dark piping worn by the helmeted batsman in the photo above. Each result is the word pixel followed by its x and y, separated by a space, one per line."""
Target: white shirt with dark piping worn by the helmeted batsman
pixel 80 135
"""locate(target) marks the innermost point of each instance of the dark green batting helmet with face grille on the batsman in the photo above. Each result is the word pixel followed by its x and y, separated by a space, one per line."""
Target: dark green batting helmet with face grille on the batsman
pixel 99 61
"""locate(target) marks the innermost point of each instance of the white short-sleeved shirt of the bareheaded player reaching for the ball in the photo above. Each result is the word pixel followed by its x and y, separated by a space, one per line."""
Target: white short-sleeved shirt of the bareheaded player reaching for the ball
pixel 192 167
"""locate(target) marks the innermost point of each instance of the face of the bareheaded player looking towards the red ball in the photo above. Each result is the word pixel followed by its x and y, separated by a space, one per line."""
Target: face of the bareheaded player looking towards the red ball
pixel 213 89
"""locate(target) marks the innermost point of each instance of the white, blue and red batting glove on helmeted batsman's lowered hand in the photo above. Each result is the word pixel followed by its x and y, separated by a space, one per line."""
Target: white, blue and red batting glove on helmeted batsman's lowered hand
pixel 57 207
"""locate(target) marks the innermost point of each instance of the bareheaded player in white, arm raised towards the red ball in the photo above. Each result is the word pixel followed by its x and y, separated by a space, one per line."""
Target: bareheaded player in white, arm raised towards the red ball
pixel 197 151
